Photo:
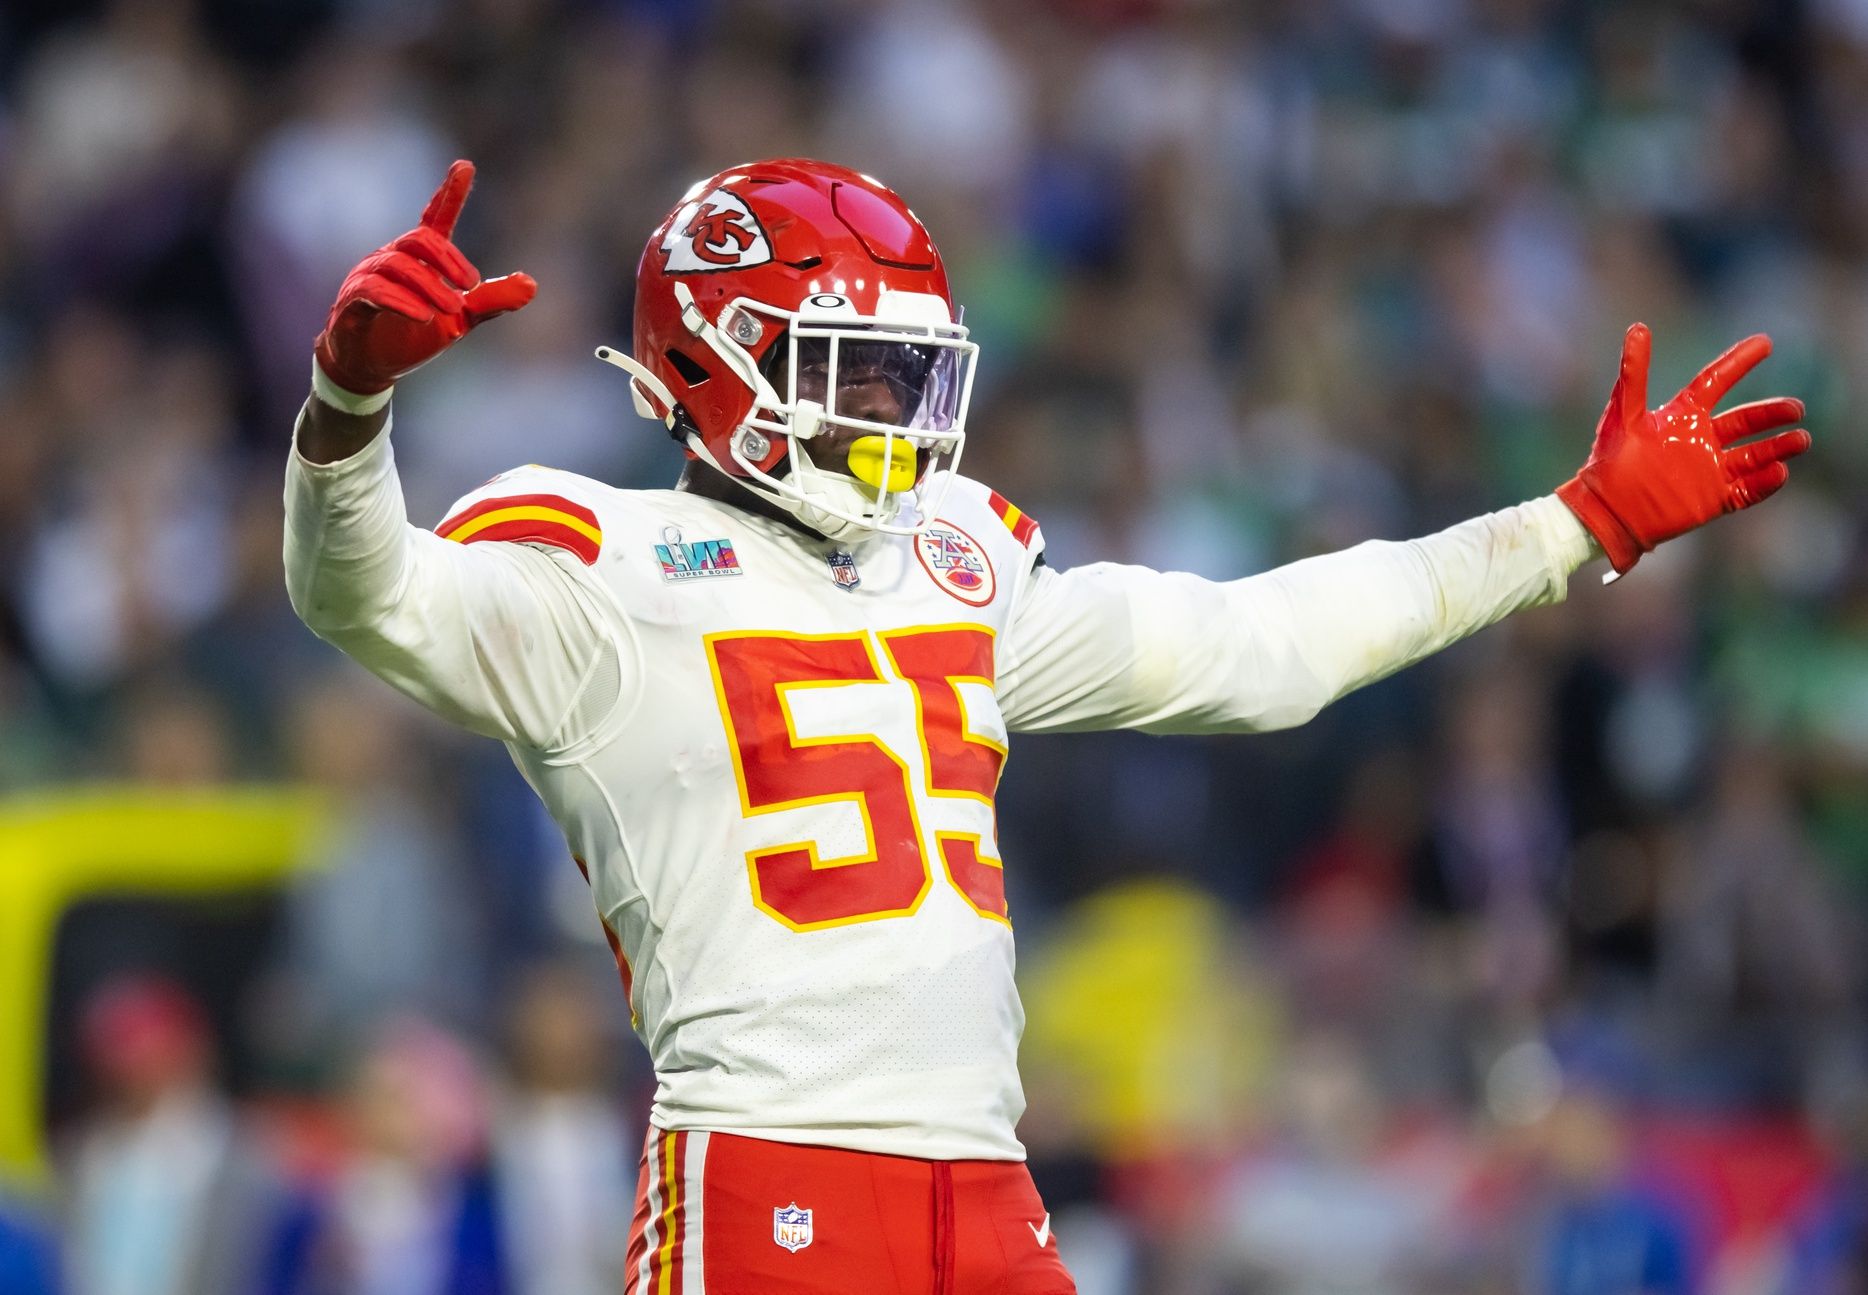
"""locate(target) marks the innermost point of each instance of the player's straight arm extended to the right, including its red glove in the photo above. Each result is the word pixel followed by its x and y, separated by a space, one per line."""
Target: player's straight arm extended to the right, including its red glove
pixel 1122 647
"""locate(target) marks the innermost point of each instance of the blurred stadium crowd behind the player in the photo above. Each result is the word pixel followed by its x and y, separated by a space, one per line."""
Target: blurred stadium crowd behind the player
pixel 1536 969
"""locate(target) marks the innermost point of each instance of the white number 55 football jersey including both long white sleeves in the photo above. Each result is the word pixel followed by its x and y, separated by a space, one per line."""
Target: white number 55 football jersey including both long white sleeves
pixel 776 756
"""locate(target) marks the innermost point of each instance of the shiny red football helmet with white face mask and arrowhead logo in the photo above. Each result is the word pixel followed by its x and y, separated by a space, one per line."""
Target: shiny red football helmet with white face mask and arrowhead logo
pixel 769 292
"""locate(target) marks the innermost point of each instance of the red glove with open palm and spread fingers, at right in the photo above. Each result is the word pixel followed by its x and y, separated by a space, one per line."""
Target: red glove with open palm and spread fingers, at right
pixel 1656 474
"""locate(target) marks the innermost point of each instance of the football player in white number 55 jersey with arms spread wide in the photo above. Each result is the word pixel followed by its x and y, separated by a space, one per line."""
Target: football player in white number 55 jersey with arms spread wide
pixel 771 707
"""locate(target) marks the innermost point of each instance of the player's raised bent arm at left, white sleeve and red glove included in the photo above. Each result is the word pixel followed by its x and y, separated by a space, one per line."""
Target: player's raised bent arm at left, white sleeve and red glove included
pixel 500 638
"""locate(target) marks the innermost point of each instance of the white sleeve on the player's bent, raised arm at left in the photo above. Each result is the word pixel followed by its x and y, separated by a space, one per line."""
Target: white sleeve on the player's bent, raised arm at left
pixel 498 638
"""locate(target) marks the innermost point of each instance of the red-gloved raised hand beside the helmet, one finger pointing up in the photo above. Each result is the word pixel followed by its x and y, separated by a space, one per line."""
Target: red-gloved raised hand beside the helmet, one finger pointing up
pixel 412 300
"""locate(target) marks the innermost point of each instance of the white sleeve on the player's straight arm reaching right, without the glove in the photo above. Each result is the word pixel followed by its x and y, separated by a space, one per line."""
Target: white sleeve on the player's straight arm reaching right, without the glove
pixel 1124 647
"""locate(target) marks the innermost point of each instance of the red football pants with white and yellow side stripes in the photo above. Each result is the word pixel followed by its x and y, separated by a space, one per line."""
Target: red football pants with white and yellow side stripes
pixel 726 1216
